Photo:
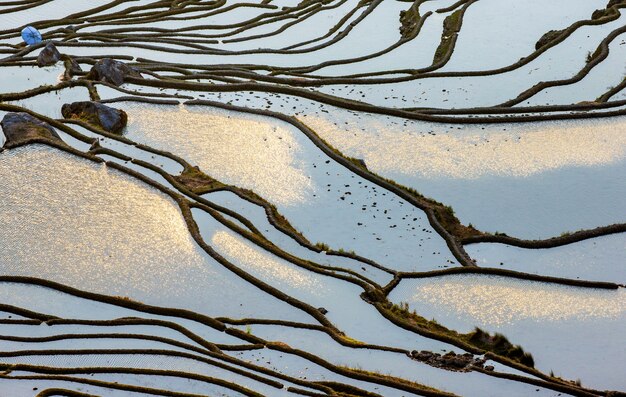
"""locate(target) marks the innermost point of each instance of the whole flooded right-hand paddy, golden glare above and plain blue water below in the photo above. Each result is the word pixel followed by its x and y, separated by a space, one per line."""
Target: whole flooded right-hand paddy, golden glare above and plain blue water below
pixel 529 180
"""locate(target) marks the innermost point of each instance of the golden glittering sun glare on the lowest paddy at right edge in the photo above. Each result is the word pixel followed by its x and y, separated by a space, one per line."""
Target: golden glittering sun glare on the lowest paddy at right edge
pixel 495 301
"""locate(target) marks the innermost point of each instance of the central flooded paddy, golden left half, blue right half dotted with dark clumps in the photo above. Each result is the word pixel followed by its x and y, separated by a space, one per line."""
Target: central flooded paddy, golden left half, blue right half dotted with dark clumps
pixel 319 197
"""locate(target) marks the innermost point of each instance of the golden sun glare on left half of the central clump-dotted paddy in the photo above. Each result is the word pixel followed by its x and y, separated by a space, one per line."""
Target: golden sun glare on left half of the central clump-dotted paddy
pixel 243 151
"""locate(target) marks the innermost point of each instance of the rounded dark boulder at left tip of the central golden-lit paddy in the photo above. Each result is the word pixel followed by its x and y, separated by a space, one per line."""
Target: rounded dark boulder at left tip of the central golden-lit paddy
pixel 99 115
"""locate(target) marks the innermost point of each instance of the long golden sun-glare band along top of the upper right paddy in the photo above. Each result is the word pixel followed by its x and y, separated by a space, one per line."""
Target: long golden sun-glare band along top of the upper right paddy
pixel 434 151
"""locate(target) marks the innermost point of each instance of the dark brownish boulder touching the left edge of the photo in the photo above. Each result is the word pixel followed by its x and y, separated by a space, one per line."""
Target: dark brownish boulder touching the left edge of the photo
pixel 21 127
